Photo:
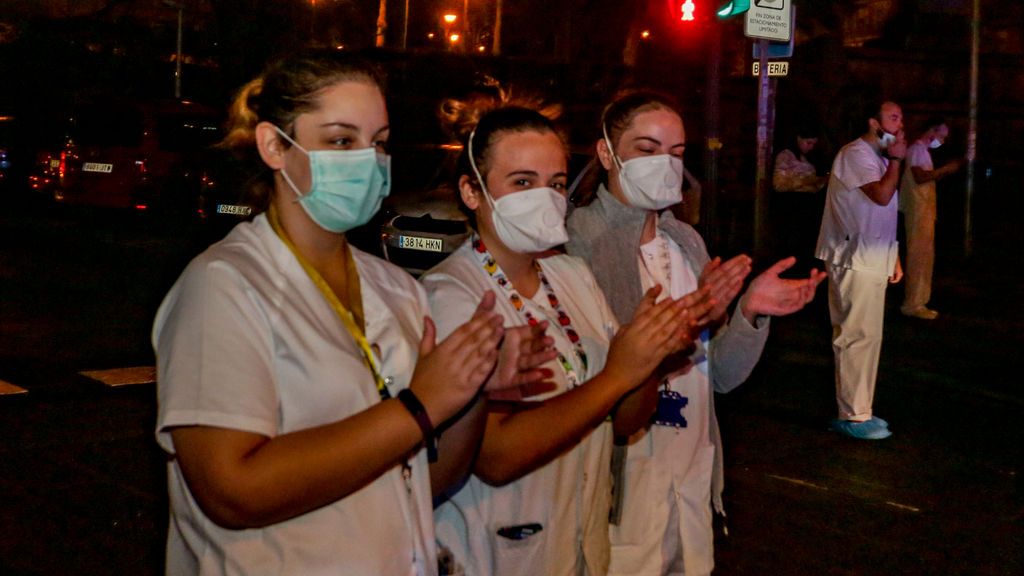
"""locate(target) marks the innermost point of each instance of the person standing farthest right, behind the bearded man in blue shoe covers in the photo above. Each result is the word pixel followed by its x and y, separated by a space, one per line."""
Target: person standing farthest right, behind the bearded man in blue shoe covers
pixel 917 201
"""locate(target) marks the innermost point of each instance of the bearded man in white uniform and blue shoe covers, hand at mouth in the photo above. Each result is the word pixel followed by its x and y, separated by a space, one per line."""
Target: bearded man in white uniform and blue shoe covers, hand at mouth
pixel 858 242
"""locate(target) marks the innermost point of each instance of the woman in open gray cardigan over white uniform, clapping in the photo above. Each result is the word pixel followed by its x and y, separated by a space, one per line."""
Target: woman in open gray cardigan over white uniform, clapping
pixel 673 471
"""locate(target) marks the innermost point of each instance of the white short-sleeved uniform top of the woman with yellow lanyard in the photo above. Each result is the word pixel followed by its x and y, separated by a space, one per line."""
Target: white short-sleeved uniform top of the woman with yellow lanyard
pixel 246 342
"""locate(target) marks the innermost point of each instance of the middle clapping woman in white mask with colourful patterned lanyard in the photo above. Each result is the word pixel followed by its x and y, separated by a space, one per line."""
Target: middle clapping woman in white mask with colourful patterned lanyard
pixel 539 499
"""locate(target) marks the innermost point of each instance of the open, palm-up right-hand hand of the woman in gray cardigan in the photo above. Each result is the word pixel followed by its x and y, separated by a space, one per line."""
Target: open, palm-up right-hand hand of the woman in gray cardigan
pixel 772 296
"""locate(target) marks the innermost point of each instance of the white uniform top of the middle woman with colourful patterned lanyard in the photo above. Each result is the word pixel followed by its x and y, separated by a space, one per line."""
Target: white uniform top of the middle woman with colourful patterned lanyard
pixel 570 498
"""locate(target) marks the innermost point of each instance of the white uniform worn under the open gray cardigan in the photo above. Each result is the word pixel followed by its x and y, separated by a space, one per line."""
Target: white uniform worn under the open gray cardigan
pixel 666 525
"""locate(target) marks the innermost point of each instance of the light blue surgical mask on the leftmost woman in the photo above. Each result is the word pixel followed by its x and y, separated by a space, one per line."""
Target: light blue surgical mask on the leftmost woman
pixel 347 186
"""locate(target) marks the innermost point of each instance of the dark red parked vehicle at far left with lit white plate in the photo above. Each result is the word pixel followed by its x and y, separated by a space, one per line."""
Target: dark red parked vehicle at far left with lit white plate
pixel 124 154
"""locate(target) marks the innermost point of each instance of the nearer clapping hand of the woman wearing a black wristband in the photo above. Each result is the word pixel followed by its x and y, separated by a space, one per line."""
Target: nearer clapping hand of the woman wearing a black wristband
pixel 450 375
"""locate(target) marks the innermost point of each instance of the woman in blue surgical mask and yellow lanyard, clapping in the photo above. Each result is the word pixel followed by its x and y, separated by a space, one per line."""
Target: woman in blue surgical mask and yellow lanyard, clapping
pixel 302 392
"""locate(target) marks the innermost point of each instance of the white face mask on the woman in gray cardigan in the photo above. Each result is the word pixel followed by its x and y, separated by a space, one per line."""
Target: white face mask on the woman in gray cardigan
pixel 652 183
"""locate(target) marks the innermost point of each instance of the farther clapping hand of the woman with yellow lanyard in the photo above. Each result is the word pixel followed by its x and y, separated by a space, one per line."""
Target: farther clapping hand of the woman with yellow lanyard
pixel 522 354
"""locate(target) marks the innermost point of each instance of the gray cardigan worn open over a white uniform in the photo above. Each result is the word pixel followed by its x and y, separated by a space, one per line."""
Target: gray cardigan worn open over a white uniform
pixel 607 235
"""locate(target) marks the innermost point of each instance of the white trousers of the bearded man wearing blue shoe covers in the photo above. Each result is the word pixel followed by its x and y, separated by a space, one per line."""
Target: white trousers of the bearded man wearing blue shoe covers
pixel 857 305
